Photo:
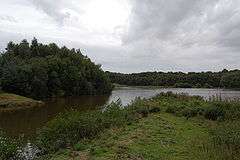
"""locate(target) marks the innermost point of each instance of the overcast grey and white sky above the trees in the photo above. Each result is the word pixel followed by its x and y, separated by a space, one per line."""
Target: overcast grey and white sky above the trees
pixel 132 35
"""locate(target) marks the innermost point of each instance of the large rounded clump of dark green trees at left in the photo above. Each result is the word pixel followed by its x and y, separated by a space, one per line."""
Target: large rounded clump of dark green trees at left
pixel 39 71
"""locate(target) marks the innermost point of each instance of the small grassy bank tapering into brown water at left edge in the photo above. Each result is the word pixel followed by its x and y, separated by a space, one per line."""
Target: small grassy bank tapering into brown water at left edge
pixel 12 102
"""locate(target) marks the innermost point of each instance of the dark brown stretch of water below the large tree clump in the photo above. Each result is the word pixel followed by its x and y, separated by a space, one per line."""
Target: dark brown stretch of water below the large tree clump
pixel 27 121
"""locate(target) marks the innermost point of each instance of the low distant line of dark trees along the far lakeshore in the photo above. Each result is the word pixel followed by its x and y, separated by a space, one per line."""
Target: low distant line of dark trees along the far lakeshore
pixel 223 79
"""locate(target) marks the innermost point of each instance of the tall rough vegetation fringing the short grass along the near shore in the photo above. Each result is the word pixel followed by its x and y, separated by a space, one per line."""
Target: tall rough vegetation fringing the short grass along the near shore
pixel 68 129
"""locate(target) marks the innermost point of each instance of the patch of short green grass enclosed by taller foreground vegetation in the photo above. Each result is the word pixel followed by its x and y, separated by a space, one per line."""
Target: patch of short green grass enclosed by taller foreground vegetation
pixel 159 136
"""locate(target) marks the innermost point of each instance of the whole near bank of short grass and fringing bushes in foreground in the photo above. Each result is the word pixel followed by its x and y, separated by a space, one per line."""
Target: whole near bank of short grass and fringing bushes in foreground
pixel 168 126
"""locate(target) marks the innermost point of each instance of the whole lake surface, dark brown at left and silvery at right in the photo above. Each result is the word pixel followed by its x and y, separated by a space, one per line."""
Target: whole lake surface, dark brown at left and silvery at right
pixel 26 122
